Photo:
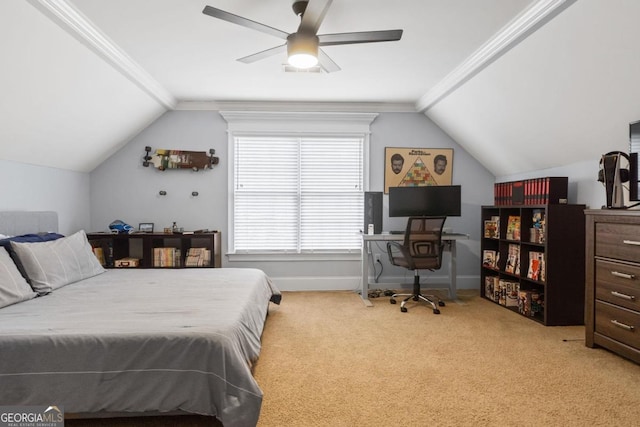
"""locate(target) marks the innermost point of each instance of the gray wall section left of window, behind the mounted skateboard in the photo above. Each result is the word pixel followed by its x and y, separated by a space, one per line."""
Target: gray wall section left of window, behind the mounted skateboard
pixel 121 188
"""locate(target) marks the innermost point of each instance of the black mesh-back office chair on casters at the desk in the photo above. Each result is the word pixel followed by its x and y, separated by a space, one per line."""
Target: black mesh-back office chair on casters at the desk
pixel 421 250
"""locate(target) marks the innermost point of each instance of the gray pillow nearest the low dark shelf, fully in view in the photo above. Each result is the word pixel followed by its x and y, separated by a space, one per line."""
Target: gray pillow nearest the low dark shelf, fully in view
pixel 54 264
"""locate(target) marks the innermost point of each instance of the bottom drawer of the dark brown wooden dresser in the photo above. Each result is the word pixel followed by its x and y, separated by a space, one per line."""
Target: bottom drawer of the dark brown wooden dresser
pixel 618 323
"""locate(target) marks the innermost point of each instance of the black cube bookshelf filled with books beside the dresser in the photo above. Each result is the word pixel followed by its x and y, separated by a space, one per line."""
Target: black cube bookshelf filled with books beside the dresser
pixel 533 261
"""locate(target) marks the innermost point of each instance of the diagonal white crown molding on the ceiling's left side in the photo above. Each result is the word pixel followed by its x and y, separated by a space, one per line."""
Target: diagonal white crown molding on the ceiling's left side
pixel 79 26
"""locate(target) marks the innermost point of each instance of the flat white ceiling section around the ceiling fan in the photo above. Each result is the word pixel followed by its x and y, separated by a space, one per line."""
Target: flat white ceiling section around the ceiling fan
pixel 194 55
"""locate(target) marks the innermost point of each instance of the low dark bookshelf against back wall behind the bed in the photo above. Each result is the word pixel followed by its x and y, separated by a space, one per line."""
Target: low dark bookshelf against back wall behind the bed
pixel 158 250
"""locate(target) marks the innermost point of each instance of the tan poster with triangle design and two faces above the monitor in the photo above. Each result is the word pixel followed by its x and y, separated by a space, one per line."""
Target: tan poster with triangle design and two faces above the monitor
pixel 415 167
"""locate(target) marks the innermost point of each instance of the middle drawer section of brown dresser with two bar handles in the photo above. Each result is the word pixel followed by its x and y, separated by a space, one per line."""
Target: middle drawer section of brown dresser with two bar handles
pixel 618 284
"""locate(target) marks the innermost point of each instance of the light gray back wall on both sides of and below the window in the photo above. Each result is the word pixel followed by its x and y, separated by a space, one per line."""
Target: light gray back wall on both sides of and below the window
pixel 121 188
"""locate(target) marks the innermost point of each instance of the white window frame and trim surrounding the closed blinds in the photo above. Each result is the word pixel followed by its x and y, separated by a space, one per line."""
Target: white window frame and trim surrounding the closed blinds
pixel 252 123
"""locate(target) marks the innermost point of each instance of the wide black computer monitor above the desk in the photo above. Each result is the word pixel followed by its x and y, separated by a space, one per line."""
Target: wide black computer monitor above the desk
pixel 430 200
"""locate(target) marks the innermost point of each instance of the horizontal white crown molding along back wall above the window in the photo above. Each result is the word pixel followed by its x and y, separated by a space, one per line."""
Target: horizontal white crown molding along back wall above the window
pixel 343 107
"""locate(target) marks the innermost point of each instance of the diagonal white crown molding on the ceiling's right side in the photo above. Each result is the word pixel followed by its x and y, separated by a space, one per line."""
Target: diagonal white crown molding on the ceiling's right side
pixel 523 25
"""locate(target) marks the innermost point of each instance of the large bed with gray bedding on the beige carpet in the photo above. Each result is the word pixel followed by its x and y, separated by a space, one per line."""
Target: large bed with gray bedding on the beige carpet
pixel 133 341
